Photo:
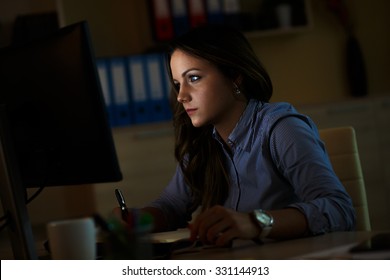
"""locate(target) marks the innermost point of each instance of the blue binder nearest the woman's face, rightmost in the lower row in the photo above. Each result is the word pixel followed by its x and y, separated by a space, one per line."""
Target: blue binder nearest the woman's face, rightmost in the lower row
pixel 156 86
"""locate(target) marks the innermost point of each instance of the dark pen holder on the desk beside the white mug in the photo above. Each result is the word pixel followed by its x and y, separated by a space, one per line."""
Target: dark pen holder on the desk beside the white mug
pixel 128 242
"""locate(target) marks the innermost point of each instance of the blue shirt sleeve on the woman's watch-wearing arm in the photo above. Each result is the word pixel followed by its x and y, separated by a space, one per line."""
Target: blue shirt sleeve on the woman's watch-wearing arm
pixel 300 157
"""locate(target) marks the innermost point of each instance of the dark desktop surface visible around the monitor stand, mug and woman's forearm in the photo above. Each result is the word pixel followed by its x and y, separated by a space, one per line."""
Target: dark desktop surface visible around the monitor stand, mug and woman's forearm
pixel 334 245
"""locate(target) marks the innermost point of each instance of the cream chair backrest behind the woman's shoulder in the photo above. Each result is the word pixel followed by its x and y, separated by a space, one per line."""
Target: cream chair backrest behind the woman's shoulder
pixel 342 148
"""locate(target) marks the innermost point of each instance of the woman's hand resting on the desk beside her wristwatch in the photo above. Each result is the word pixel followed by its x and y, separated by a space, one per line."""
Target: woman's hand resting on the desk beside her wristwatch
pixel 220 226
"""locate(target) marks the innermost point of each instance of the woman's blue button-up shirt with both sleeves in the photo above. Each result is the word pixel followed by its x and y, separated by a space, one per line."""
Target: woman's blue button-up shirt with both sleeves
pixel 277 160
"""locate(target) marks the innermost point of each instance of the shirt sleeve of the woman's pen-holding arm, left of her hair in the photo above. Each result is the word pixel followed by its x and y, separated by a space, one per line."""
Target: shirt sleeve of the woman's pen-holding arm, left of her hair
pixel 174 202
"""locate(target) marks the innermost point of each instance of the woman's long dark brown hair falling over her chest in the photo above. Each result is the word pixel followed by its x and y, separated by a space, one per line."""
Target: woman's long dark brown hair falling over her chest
pixel 199 155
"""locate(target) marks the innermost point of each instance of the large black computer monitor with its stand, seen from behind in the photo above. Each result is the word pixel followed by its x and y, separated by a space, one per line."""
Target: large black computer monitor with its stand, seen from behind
pixel 54 126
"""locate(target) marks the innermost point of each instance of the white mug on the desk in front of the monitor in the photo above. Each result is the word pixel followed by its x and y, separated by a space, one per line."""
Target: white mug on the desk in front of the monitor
pixel 73 239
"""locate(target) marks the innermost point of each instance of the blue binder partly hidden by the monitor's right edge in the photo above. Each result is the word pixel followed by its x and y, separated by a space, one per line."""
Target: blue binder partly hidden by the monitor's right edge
pixel 103 72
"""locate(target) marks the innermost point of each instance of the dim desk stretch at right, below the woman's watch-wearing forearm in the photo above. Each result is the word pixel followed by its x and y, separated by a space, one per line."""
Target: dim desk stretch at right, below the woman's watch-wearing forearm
pixel 327 246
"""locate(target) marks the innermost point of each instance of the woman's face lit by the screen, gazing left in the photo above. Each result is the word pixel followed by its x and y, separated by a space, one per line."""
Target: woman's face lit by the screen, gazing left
pixel 205 93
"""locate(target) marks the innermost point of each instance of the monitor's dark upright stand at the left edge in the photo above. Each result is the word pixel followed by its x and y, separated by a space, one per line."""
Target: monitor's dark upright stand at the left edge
pixel 12 196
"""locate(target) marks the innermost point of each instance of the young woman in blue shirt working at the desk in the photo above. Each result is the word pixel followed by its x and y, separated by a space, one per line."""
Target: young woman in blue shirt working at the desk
pixel 256 169
